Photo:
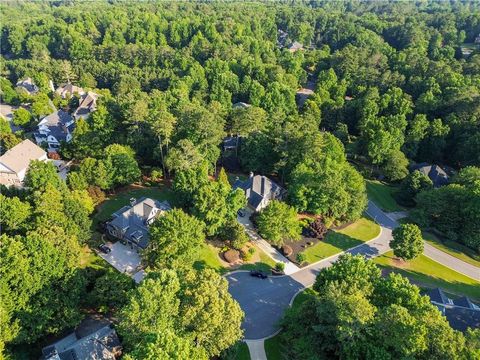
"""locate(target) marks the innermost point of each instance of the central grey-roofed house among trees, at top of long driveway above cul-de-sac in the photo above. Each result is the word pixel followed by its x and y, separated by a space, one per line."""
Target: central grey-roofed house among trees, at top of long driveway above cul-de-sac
pixel 259 190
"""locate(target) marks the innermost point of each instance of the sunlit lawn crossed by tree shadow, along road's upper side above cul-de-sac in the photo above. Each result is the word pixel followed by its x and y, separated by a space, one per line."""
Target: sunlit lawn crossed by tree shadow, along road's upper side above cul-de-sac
pixel 337 241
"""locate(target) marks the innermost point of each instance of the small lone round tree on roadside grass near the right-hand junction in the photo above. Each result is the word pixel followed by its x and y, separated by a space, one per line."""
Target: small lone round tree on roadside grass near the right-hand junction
pixel 407 241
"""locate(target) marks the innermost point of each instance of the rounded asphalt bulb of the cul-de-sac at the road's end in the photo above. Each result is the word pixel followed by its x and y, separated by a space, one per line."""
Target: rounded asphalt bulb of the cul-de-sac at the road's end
pixel 263 300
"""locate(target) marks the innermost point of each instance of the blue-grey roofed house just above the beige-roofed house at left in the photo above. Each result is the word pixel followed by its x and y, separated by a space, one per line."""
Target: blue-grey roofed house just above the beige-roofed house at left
pixel 54 129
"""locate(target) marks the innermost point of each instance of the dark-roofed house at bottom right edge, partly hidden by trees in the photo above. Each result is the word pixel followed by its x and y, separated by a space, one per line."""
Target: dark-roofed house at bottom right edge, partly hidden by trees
pixel 461 313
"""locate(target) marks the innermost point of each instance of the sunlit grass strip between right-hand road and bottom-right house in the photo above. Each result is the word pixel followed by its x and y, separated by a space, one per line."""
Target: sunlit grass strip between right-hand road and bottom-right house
pixel 425 272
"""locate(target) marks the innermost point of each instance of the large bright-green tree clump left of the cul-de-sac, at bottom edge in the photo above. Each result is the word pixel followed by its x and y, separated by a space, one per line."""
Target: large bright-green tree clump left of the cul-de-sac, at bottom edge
pixel 194 317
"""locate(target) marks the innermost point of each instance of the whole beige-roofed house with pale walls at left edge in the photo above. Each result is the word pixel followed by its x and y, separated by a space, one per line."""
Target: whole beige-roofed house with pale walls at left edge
pixel 14 163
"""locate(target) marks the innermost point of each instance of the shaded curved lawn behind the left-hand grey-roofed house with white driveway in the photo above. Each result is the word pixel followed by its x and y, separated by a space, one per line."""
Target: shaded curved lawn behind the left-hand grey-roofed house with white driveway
pixel 117 201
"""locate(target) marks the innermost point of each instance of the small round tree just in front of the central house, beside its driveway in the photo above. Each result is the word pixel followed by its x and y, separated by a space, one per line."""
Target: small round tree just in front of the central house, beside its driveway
pixel 278 222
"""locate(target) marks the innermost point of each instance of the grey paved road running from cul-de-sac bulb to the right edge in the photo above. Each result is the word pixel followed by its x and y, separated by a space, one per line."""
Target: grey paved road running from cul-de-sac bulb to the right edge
pixel 264 301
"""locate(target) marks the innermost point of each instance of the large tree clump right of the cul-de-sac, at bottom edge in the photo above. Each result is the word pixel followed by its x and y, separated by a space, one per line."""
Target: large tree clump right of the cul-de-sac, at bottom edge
pixel 368 316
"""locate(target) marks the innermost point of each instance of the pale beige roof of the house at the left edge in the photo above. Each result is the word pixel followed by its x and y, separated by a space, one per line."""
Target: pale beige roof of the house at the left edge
pixel 18 158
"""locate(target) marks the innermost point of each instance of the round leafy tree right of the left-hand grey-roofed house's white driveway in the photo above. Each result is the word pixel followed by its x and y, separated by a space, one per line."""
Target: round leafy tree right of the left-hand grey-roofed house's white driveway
pixel 175 239
